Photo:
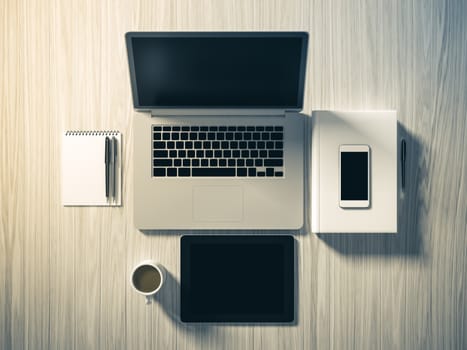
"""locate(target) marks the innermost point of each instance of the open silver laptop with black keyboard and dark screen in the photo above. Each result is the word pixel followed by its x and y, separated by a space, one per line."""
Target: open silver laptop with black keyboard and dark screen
pixel 220 140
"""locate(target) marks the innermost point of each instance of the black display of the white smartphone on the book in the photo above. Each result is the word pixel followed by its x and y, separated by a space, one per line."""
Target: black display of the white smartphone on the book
pixel 354 176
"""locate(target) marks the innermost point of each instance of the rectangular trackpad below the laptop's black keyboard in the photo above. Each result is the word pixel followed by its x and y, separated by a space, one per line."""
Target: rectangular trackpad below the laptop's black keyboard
pixel 217 203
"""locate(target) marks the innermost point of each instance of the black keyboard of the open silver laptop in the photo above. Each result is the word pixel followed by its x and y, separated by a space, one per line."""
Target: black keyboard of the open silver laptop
pixel 218 151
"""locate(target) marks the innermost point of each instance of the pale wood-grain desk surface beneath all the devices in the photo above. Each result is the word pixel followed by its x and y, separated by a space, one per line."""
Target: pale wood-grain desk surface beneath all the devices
pixel 64 271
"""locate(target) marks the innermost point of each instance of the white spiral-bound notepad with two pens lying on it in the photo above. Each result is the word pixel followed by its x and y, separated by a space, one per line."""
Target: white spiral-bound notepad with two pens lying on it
pixel 84 169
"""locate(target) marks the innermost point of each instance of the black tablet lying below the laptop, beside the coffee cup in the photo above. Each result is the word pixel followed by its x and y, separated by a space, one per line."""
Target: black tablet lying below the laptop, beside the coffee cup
pixel 237 279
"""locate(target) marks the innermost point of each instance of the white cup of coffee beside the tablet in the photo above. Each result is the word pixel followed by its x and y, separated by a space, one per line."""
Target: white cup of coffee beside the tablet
pixel 147 278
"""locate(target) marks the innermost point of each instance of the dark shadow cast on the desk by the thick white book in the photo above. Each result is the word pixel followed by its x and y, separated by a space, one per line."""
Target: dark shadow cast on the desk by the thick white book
pixel 412 208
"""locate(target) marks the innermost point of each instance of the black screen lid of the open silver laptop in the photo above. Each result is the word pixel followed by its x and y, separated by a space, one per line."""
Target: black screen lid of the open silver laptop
pixel 217 70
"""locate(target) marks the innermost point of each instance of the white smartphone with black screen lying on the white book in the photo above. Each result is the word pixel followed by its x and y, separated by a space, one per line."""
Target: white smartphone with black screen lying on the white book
pixel 354 176
